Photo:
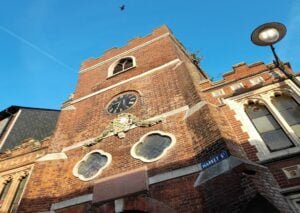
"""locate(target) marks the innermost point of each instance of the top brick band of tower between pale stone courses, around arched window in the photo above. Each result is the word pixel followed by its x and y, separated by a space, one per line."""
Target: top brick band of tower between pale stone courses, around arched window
pixel 147 58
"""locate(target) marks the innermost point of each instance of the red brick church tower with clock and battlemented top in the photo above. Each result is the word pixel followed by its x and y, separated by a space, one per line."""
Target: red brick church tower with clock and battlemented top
pixel 145 131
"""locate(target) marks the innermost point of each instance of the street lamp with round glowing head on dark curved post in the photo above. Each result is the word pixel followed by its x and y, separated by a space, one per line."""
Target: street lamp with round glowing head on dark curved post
pixel 269 34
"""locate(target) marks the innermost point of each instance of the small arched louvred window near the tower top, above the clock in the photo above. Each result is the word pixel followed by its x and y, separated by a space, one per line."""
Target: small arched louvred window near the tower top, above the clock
pixel 121 65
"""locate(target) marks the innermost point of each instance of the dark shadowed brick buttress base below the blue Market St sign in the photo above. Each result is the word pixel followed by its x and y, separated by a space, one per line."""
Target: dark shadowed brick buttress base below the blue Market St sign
pixel 232 191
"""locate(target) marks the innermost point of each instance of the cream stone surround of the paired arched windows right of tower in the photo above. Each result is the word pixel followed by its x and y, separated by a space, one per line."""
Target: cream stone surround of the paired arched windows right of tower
pixel 264 95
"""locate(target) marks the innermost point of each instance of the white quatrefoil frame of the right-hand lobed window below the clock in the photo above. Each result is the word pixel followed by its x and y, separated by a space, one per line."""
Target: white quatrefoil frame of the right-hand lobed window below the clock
pixel 134 155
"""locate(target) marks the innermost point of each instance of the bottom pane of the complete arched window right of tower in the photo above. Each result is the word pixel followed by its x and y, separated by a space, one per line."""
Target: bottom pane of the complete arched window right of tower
pixel 276 140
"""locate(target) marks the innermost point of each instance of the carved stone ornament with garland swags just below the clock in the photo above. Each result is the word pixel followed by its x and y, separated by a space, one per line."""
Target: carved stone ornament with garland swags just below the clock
pixel 121 124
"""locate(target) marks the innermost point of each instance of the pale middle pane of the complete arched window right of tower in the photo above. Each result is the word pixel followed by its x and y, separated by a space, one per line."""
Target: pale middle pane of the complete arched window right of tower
pixel 265 124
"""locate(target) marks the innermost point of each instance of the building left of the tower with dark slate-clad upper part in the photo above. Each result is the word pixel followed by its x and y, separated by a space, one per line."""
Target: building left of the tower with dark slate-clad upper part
pixel 24 134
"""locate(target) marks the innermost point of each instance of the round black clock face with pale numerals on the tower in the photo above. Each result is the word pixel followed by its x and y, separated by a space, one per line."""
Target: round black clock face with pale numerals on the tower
pixel 121 103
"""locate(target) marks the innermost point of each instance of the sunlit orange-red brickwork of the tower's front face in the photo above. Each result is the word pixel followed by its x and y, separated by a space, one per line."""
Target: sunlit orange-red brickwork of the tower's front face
pixel 159 92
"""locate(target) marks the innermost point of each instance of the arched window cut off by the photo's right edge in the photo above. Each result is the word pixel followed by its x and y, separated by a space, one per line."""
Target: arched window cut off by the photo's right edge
pixel 289 110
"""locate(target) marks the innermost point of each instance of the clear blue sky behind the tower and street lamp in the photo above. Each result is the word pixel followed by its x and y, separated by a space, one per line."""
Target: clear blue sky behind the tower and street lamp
pixel 43 42
